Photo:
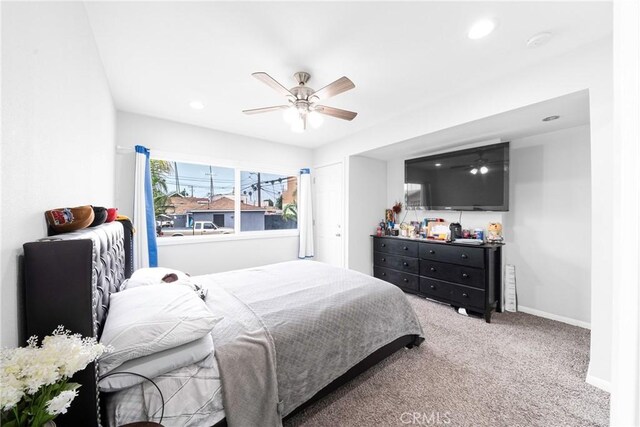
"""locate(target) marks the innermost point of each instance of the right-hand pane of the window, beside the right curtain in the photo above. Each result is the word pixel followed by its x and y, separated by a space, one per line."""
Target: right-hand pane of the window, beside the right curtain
pixel 268 201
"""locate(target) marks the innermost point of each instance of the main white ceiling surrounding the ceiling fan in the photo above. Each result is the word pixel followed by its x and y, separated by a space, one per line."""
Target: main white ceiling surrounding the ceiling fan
pixel 159 56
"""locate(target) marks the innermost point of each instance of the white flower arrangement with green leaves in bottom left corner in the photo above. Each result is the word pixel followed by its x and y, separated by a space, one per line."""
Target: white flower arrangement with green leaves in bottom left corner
pixel 35 387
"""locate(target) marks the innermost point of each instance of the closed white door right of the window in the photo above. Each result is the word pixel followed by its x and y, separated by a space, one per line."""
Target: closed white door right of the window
pixel 329 214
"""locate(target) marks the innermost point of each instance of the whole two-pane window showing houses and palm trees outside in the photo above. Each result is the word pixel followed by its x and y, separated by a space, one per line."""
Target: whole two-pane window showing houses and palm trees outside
pixel 199 199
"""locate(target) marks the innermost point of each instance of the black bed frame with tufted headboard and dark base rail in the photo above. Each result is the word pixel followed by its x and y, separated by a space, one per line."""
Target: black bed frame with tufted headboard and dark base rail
pixel 68 280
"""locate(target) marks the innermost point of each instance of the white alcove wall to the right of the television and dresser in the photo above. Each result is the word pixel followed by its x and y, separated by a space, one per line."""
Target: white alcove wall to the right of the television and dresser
pixel 548 226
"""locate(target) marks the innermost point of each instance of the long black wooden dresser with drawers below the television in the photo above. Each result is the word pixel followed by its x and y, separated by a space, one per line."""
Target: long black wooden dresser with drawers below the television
pixel 462 275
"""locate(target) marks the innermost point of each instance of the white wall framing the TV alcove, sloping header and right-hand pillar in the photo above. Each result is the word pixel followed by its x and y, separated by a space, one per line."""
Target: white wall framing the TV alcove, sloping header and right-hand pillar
pixel 590 68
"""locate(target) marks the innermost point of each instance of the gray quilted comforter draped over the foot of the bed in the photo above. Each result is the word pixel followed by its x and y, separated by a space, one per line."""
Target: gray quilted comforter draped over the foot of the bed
pixel 292 328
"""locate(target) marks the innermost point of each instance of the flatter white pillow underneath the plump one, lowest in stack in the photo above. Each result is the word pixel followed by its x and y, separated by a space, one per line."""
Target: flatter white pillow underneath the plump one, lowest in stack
pixel 157 364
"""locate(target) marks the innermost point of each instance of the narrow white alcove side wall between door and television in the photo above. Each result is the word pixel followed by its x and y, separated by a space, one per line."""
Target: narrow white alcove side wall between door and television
pixel 366 198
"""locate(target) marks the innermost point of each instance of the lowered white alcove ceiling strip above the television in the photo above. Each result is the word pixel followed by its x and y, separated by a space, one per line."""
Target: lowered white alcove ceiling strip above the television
pixel 573 110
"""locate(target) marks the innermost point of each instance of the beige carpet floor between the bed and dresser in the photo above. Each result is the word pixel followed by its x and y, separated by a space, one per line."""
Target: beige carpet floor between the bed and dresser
pixel 520 370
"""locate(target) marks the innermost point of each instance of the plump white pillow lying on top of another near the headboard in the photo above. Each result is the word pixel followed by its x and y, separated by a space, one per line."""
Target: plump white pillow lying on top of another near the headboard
pixel 149 319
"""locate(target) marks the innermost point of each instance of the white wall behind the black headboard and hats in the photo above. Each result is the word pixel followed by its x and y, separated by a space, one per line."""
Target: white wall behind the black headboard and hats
pixel 58 129
